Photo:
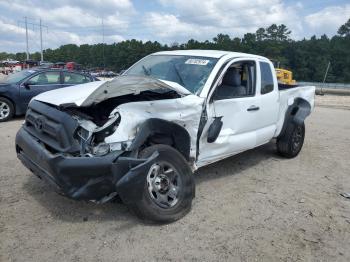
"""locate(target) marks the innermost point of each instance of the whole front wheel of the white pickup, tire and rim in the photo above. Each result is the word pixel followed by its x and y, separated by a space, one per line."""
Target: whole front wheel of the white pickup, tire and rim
pixel 169 186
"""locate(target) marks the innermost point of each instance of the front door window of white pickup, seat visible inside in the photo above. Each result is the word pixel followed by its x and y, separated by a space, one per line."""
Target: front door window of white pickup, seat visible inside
pixel 238 81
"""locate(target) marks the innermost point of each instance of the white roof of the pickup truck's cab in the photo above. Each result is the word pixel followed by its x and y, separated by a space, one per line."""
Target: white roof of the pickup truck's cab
pixel 206 53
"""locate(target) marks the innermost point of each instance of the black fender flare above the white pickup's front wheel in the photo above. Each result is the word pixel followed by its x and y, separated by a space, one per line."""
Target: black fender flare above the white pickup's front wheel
pixel 158 127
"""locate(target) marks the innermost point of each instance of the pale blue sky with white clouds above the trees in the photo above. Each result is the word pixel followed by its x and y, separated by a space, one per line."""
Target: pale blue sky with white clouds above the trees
pixel 167 21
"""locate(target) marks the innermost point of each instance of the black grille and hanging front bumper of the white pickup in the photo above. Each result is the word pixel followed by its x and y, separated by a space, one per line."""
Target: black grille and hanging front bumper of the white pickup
pixel 78 166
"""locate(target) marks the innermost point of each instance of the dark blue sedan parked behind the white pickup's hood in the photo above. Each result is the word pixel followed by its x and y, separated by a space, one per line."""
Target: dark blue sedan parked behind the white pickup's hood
pixel 18 89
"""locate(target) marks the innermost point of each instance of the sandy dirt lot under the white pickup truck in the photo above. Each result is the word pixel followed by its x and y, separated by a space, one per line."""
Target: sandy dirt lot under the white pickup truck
pixel 252 207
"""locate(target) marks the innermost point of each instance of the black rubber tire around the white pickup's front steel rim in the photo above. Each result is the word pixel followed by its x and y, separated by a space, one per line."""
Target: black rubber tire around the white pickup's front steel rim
pixel 148 208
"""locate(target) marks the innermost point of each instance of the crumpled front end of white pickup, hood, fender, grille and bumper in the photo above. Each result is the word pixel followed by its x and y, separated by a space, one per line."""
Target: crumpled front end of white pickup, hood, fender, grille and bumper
pixel 85 144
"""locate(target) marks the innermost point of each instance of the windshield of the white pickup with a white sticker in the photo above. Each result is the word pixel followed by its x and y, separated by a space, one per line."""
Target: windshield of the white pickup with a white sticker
pixel 190 72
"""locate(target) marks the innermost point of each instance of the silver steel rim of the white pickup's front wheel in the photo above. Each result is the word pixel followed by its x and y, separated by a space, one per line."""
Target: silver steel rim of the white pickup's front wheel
pixel 164 184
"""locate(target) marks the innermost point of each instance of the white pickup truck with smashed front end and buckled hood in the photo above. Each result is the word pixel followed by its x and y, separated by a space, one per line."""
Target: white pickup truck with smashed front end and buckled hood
pixel 142 135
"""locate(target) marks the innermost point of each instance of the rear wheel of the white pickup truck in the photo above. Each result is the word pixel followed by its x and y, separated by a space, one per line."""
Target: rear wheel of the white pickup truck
pixel 291 141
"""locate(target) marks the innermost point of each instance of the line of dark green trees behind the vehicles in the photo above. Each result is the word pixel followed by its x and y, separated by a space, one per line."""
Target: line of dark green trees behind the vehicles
pixel 307 58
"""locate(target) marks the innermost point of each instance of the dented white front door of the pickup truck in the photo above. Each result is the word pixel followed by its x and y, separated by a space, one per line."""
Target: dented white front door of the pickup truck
pixel 236 102
